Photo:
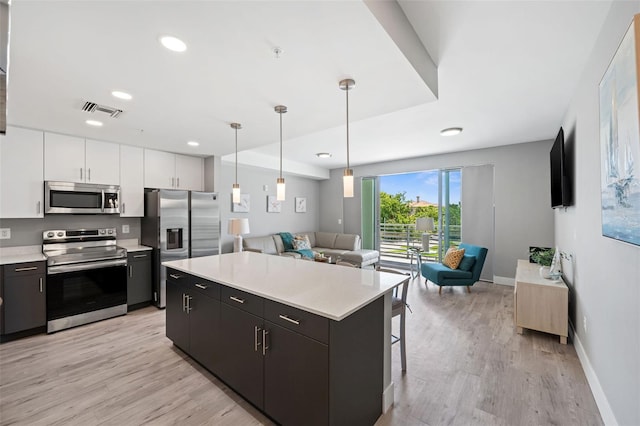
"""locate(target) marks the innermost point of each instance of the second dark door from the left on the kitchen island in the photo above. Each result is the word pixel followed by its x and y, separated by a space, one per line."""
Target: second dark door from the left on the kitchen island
pixel 204 325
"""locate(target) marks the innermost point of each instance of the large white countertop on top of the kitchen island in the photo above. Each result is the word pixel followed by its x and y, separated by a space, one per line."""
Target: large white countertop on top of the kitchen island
pixel 331 291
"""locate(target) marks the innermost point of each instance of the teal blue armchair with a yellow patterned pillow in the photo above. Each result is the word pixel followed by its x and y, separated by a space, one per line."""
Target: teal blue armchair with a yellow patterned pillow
pixel 442 275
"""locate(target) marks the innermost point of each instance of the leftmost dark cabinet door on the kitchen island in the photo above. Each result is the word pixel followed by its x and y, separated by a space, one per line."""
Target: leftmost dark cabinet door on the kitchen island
pixel 177 318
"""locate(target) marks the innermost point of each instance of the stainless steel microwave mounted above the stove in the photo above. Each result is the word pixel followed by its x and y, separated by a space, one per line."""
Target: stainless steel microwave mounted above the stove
pixel 81 198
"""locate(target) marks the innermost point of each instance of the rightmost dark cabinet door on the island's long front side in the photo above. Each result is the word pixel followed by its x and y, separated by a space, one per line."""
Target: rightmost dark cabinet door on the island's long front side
pixel 296 378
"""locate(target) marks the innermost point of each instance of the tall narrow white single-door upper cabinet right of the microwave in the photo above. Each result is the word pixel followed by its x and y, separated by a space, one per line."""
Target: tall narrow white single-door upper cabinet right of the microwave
pixel 131 181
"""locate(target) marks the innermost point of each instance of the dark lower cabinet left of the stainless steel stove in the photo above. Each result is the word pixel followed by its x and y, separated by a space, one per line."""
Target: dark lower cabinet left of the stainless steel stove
pixel 24 298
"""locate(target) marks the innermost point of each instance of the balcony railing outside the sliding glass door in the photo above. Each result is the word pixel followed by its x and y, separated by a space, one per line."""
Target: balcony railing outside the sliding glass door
pixel 396 240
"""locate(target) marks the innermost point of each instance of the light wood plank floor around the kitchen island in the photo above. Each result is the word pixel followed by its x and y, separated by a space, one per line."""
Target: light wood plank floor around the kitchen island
pixel 466 366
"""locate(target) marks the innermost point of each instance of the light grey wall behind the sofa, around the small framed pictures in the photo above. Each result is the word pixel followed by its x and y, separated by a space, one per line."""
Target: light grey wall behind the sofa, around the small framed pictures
pixel 251 182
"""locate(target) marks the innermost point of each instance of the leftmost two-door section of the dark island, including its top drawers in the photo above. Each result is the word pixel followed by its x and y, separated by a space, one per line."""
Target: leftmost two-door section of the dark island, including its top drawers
pixel 193 317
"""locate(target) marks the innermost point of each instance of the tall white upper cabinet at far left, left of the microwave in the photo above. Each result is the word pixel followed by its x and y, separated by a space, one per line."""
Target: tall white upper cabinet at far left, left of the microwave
pixel 21 175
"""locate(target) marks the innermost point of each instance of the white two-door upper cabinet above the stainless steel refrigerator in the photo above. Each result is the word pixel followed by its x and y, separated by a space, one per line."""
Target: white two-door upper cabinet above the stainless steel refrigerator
pixel 172 171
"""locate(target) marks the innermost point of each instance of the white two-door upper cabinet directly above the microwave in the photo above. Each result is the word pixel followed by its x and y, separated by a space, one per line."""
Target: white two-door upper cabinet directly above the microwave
pixel 72 159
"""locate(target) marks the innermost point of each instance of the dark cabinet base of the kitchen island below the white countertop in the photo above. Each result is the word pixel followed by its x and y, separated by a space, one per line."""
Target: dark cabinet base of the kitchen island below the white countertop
pixel 297 367
